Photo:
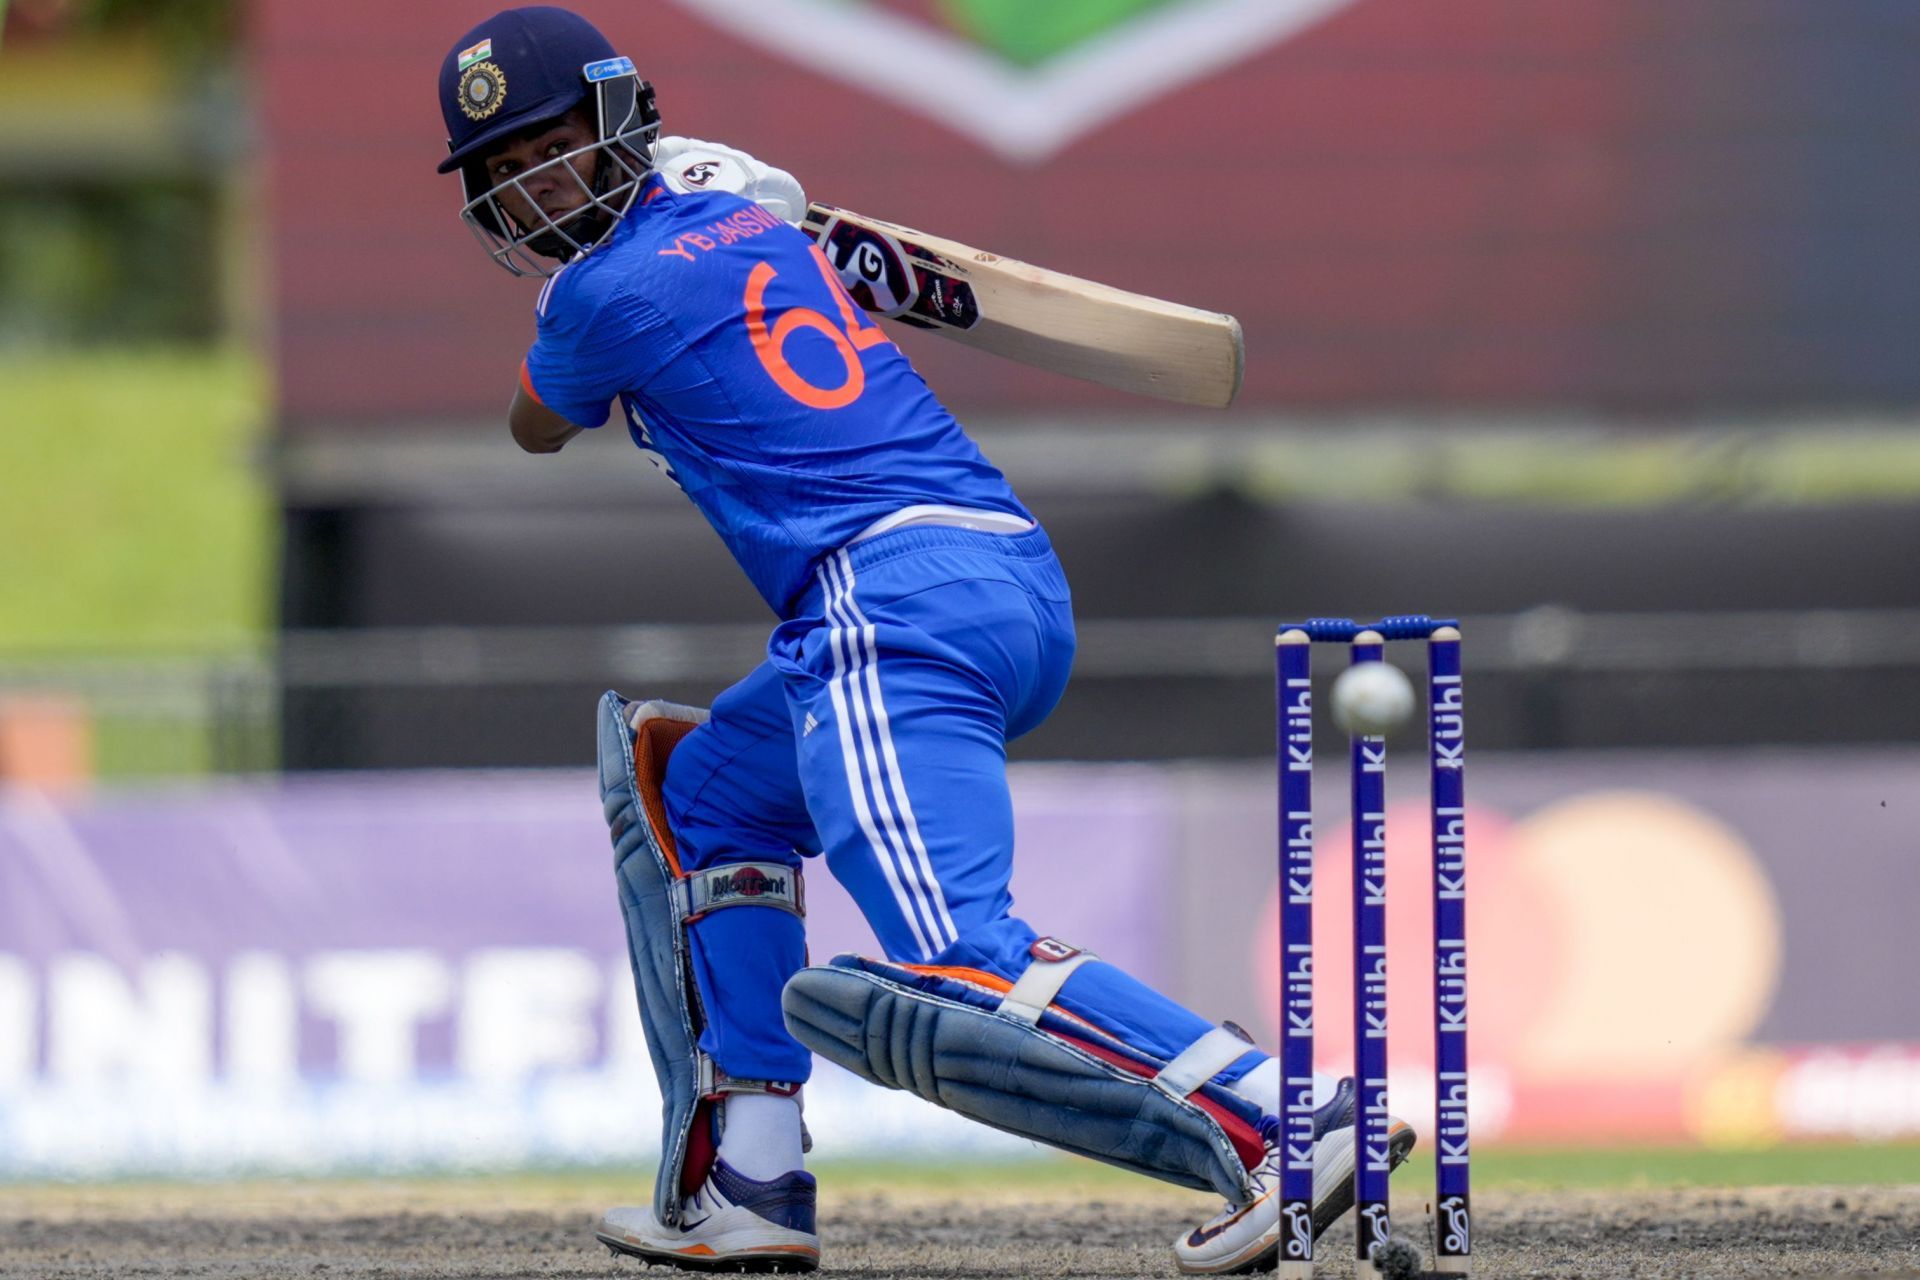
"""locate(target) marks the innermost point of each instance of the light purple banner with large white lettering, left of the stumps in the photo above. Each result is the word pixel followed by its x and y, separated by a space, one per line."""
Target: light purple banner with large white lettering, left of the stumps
pixel 373 972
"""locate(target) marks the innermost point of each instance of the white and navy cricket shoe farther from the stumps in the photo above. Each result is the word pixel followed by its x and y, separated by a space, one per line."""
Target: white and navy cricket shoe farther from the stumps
pixel 732 1223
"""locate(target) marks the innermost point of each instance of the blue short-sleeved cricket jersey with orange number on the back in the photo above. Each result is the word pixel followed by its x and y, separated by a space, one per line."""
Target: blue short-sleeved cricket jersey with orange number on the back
pixel 752 377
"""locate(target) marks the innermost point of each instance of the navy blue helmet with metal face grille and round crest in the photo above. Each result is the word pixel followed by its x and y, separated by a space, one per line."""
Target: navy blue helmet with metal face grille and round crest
pixel 517 72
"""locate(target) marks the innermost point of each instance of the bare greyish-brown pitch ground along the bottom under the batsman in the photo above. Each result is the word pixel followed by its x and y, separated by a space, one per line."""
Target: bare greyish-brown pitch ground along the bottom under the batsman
pixel 335 1231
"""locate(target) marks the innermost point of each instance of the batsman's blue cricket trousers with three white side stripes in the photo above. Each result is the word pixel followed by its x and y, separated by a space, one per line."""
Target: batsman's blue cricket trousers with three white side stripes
pixel 876 736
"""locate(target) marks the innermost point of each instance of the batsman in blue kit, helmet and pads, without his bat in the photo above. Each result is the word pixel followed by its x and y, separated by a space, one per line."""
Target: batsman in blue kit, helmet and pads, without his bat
pixel 924 623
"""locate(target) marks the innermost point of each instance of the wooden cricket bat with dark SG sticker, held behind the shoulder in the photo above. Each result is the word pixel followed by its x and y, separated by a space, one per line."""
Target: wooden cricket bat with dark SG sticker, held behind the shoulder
pixel 1034 316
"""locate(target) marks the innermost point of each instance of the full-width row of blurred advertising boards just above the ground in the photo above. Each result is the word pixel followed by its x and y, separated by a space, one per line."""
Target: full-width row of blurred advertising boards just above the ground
pixel 429 972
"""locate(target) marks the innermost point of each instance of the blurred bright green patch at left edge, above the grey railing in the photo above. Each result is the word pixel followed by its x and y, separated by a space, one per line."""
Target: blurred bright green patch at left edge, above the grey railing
pixel 132 513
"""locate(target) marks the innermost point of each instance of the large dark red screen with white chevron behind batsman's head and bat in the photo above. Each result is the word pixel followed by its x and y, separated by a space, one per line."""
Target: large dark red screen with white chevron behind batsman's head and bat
pixel 1479 204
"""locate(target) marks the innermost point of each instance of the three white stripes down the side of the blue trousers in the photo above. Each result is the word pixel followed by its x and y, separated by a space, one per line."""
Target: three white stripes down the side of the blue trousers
pixel 911 876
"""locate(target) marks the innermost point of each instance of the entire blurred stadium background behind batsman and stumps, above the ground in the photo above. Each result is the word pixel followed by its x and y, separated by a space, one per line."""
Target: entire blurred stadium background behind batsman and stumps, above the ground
pixel 1593 323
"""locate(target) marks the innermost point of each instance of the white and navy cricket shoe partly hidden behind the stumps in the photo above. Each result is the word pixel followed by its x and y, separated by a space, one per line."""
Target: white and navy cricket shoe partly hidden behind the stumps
pixel 1245 1239
